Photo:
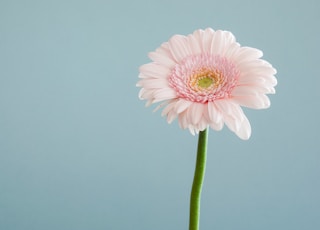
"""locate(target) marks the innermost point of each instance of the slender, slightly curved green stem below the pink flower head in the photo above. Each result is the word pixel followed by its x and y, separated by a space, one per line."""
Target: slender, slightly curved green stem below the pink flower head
pixel 198 180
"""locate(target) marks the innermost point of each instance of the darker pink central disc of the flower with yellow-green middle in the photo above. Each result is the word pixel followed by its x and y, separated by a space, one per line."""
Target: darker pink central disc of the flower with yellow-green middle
pixel 203 78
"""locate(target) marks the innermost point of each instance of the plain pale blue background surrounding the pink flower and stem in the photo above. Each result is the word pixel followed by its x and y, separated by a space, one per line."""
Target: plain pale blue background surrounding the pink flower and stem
pixel 78 150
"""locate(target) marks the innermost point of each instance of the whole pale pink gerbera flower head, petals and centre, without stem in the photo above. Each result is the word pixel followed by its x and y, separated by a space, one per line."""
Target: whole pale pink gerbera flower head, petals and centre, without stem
pixel 204 78
